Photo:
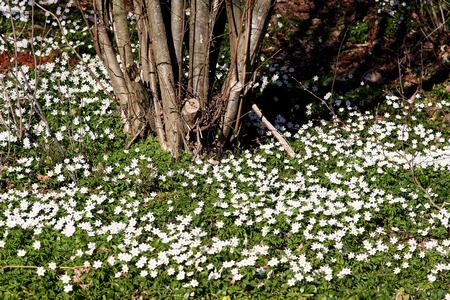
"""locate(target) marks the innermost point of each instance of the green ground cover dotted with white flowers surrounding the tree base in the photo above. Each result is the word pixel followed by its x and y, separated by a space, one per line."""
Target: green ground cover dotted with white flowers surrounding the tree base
pixel 361 211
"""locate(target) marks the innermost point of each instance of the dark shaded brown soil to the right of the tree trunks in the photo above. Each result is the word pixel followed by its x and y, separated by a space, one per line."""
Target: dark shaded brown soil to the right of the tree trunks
pixel 358 49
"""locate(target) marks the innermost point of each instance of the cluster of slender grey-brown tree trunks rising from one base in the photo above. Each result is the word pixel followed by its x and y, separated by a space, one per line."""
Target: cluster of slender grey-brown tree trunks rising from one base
pixel 168 88
